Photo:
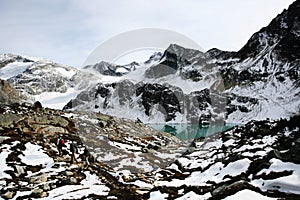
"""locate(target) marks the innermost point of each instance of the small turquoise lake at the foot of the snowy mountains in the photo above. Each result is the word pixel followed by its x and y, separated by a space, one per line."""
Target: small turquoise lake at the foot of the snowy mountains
pixel 190 131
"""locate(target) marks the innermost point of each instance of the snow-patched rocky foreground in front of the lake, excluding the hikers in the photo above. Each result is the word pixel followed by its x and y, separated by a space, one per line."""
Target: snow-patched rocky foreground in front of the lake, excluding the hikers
pixel 133 161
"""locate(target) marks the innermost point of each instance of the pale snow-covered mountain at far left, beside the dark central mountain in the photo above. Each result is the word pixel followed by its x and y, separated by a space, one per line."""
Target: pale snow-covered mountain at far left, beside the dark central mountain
pixel 51 83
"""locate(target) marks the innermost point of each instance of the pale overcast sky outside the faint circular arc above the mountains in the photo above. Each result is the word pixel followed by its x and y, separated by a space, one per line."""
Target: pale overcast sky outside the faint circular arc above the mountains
pixel 68 31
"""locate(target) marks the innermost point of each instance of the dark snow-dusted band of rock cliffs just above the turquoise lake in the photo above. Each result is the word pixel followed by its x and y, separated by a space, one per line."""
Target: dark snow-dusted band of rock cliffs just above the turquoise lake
pixel 166 99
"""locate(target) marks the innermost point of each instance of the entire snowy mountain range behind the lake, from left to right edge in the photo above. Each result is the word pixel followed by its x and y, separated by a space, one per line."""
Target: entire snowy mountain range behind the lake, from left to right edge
pixel 259 81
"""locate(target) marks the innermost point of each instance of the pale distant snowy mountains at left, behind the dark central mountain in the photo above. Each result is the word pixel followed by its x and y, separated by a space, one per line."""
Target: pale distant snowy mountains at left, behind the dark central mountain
pixel 54 84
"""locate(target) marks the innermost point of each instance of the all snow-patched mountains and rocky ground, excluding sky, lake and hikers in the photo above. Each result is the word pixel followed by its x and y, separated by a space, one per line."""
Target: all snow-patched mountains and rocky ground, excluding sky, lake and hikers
pixel 105 108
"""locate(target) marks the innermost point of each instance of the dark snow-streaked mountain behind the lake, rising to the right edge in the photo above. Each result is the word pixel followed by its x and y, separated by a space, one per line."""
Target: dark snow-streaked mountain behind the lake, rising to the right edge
pixel 259 81
